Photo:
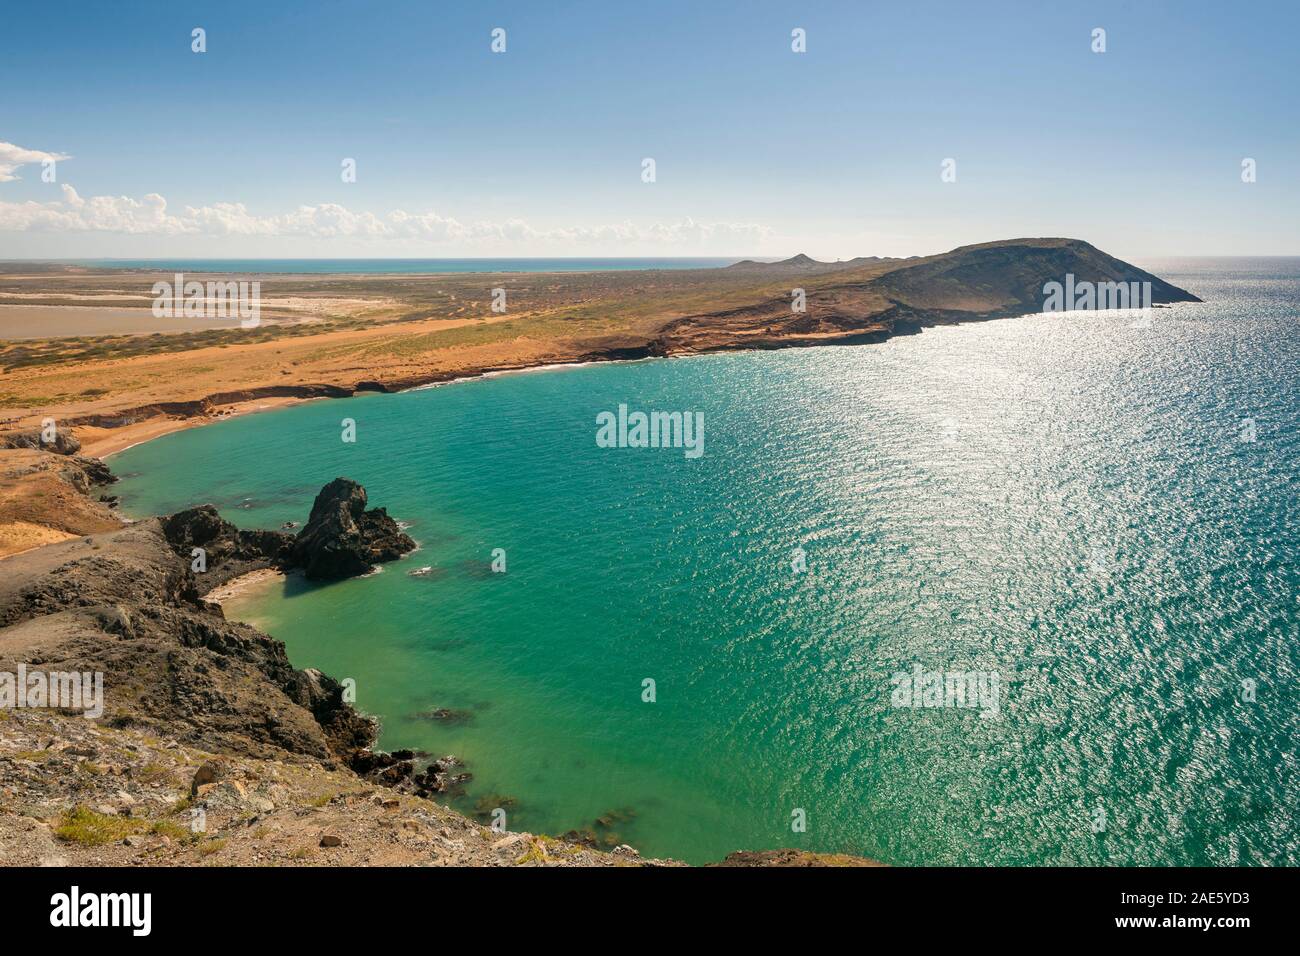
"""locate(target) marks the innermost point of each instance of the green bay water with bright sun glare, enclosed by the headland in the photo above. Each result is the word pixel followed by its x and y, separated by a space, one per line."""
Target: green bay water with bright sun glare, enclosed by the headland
pixel 1067 503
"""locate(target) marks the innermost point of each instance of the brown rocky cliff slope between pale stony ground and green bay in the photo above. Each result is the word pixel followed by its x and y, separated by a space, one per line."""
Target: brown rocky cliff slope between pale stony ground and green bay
pixel 124 604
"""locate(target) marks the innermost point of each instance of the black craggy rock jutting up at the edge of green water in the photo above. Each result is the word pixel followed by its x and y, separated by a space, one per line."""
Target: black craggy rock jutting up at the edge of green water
pixel 343 539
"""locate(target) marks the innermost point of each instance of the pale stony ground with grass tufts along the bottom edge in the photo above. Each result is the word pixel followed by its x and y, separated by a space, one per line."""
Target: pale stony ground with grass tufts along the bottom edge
pixel 111 794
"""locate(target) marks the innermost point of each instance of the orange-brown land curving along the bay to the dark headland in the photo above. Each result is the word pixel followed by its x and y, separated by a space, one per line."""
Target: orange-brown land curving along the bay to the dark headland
pixel 746 308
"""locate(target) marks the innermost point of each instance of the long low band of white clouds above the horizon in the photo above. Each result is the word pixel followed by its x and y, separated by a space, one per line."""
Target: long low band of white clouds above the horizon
pixel 75 214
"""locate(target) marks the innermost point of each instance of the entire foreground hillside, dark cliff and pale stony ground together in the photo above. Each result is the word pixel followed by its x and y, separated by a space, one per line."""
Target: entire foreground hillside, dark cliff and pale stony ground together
pixel 203 720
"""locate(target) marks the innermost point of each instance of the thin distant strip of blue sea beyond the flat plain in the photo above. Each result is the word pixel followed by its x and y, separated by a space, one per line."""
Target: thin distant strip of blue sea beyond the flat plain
pixel 408 266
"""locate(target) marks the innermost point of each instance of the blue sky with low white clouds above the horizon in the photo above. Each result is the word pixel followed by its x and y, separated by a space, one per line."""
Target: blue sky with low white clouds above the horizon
pixel 538 152
